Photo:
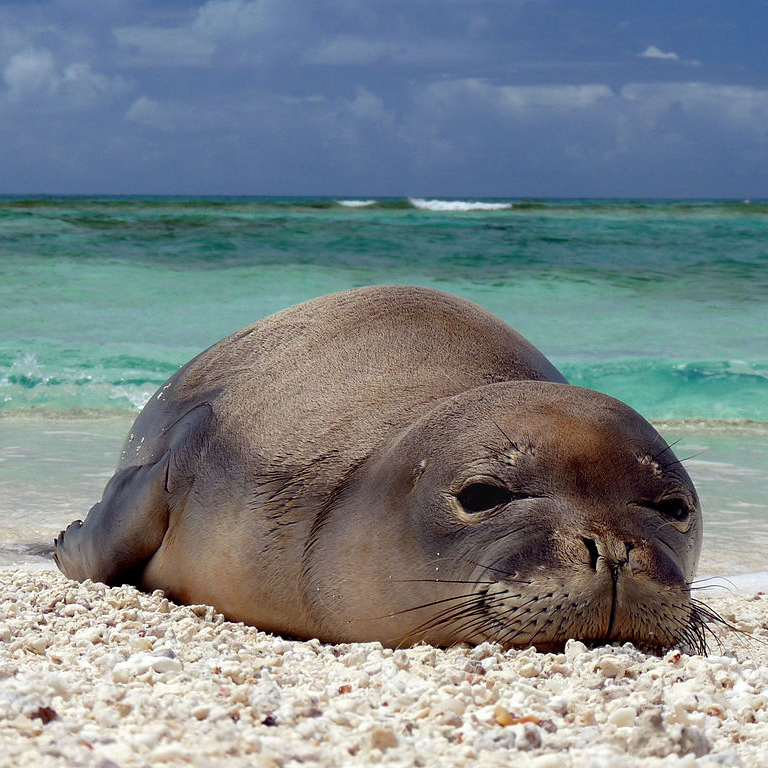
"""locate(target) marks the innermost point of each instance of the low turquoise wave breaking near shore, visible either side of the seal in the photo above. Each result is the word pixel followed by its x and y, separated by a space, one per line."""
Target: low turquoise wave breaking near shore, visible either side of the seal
pixel 660 389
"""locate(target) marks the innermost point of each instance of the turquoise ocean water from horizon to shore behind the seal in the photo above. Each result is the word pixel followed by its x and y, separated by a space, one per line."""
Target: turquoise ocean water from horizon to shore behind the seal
pixel 663 304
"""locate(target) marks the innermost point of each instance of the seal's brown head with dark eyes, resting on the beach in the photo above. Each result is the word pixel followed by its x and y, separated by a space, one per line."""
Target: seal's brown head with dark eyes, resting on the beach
pixel 520 512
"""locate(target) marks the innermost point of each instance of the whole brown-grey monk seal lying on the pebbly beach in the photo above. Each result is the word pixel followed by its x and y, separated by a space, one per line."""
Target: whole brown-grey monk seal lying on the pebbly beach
pixel 395 463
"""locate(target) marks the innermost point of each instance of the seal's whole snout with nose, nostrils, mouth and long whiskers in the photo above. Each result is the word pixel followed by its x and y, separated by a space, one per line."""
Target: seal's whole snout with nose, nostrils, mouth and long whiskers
pixel 592 588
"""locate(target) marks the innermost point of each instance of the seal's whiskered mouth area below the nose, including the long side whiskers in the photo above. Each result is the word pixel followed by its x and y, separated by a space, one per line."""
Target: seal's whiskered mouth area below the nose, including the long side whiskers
pixel 602 604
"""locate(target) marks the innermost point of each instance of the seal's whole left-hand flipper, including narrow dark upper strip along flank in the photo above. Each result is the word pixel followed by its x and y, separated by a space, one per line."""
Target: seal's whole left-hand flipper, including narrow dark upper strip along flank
pixel 123 531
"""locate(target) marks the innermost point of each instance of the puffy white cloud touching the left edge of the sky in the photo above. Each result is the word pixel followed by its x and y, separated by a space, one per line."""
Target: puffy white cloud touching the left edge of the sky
pixel 34 74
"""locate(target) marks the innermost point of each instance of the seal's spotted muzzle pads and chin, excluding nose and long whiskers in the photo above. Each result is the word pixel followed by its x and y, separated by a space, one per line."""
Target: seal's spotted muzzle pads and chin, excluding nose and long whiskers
pixel 608 605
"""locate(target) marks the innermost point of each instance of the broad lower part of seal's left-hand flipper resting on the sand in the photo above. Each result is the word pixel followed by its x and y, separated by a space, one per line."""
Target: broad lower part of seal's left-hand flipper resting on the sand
pixel 122 531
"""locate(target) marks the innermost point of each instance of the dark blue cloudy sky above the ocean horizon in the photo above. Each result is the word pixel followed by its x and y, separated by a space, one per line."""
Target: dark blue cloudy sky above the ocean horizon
pixel 385 97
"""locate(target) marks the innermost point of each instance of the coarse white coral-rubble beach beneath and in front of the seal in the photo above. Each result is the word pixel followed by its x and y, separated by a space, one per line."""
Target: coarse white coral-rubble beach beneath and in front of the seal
pixel 92 676
